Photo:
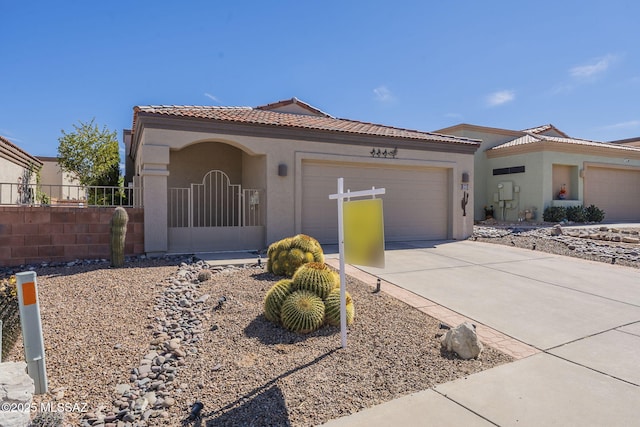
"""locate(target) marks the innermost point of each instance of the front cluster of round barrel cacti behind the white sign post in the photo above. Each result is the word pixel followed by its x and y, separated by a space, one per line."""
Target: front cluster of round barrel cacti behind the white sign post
pixel 308 300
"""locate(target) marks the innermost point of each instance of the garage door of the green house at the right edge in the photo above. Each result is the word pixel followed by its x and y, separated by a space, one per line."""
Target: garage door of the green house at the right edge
pixel 616 191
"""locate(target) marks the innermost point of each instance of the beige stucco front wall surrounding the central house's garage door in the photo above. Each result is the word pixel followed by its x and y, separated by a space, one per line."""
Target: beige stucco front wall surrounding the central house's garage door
pixel 283 193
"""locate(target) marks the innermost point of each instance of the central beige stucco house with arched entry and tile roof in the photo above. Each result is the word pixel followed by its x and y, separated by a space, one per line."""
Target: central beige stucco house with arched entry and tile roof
pixel 231 178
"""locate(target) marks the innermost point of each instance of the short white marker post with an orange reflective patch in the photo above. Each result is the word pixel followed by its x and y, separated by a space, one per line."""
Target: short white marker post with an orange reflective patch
pixel 32 329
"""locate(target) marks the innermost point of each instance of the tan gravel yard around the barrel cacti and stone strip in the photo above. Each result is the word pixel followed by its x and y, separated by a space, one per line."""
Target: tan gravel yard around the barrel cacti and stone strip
pixel 99 322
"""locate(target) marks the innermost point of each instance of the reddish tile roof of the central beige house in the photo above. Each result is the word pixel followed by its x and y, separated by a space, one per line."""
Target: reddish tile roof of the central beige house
pixel 267 117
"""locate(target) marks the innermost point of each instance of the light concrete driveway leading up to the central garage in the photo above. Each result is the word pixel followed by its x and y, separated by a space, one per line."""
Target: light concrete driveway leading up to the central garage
pixel 583 316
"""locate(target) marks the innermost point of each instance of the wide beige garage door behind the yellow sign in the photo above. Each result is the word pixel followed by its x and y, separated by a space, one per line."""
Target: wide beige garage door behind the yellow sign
pixel 415 204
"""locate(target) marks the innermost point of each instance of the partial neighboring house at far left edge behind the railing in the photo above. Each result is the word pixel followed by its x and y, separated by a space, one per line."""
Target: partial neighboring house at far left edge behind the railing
pixel 18 170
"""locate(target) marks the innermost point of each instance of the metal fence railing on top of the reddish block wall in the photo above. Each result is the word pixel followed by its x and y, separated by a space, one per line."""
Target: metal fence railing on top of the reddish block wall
pixel 20 194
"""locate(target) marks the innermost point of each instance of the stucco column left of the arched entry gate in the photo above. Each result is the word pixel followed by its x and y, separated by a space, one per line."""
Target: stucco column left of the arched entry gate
pixel 154 173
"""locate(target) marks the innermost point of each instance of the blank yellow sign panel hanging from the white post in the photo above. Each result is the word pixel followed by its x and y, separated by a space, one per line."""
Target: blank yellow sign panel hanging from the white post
pixel 364 232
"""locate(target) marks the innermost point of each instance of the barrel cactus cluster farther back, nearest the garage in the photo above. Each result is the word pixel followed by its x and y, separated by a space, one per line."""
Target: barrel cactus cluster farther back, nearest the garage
pixel 288 254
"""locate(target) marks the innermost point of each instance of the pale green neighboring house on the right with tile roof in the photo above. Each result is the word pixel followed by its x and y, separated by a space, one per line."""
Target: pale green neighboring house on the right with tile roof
pixel 521 173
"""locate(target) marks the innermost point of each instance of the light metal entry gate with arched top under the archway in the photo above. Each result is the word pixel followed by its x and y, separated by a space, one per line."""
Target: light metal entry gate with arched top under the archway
pixel 215 215
